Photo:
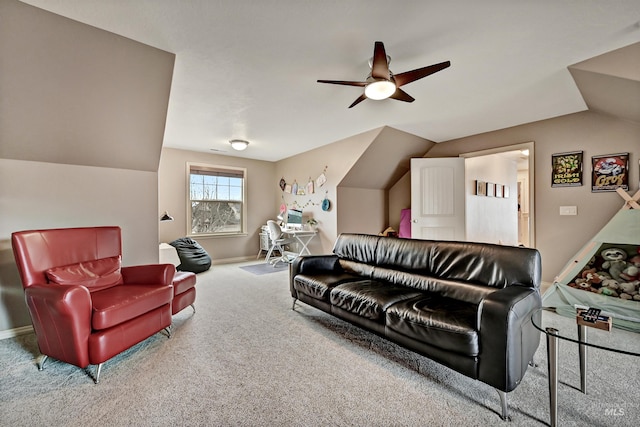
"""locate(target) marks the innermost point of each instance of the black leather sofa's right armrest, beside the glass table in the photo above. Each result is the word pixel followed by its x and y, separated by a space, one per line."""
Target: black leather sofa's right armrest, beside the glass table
pixel 508 340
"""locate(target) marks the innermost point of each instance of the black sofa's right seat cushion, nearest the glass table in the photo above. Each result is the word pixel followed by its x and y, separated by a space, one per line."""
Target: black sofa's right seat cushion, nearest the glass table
pixel 442 322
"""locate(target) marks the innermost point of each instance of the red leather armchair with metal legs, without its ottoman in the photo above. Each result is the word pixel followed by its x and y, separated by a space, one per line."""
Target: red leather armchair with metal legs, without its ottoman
pixel 85 307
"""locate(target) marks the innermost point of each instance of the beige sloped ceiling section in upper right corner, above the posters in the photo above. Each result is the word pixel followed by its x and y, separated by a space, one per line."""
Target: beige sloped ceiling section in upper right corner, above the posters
pixel 610 83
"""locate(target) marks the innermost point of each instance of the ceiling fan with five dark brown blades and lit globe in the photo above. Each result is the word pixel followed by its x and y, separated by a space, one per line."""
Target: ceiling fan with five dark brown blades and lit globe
pixel 382 83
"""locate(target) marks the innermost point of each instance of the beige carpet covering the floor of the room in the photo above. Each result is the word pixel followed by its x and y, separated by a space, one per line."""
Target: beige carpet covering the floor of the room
pixel 246 359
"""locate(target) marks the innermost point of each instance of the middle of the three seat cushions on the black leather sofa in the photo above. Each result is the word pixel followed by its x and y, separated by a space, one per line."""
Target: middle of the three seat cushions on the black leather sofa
pixel 369 298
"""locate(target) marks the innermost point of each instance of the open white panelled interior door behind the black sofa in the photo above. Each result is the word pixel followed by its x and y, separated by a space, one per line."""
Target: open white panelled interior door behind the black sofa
pixel 438 199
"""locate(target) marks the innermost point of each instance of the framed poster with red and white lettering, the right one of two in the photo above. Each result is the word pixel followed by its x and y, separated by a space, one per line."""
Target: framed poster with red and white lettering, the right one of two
pixel 610 172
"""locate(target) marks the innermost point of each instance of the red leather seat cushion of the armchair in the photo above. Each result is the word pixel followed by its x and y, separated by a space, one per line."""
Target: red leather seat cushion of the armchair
pixel 118 304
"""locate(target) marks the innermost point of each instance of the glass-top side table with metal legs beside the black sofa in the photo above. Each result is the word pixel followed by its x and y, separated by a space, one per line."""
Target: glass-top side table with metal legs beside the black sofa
pixel 615 340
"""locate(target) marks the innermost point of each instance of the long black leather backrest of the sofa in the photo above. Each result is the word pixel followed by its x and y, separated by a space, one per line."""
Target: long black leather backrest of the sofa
pixel 482 264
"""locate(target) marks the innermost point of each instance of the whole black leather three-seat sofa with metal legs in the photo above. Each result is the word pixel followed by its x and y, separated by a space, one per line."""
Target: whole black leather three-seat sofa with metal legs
pixel 465 305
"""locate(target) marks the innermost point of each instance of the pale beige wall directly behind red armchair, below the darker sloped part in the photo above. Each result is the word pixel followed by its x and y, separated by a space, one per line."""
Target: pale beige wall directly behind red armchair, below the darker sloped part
pixel 36 195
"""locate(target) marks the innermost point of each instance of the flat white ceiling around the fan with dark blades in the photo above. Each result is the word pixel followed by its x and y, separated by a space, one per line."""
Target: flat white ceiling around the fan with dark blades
pixel 248 69
